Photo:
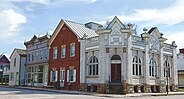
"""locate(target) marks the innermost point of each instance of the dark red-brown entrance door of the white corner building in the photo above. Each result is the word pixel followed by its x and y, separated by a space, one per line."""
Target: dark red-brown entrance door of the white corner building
pixel 116 73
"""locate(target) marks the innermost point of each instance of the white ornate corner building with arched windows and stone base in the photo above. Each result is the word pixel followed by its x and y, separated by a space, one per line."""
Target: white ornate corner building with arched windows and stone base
pixel 118 61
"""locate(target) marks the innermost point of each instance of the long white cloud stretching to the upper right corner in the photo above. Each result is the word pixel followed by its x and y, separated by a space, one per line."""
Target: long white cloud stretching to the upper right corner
pixel 170 16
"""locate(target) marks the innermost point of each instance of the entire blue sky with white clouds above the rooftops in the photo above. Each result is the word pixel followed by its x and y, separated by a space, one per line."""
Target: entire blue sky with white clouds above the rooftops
pixel 21 19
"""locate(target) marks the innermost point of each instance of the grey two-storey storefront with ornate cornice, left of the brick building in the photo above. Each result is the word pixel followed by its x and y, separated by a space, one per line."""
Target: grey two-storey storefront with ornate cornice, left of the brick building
pixel 37 61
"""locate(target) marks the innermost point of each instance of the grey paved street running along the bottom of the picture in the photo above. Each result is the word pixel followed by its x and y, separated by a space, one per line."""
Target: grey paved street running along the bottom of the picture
pixel 14 93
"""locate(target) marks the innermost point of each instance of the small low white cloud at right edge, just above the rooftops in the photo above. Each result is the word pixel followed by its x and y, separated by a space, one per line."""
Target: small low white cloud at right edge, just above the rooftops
pixel 178 37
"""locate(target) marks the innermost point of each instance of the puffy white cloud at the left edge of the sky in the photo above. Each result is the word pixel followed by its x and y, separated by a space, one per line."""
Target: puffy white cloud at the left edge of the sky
pixel 10 23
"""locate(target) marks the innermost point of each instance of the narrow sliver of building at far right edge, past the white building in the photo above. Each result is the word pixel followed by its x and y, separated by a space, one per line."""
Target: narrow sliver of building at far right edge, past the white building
pixel 181 68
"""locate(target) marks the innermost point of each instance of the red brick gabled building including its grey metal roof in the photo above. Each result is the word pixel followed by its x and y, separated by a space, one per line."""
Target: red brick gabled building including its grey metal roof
pixel 64 56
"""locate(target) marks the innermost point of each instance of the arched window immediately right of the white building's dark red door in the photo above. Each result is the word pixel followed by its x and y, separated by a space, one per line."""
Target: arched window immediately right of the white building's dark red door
pixel 137 66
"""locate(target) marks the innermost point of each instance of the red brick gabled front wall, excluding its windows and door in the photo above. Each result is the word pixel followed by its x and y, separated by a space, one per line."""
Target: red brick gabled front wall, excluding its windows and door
pixel 65 37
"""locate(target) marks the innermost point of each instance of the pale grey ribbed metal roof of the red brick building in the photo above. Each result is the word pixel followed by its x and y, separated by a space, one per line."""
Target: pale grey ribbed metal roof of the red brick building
pixel 80 29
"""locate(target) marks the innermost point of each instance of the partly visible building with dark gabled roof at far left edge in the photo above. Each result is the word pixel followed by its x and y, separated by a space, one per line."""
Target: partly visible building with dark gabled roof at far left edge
pixel 4 69
